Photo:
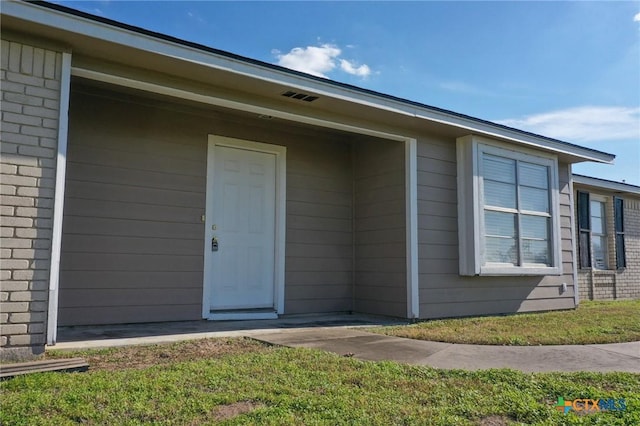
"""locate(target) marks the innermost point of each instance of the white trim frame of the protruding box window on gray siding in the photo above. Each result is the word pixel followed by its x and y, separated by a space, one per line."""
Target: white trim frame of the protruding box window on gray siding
pixel 471 208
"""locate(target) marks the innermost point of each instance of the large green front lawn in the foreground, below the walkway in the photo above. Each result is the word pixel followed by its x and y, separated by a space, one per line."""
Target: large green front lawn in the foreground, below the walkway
pixel 240 381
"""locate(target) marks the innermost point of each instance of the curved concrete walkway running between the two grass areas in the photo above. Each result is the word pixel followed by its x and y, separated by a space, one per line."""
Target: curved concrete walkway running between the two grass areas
pixel 375 347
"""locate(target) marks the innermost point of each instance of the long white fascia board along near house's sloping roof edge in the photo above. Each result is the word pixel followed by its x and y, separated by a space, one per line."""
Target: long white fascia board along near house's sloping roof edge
pixel 87 27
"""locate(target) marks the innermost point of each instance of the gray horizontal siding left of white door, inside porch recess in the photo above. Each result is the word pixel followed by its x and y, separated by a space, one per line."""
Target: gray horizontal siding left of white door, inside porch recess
pixel 132 232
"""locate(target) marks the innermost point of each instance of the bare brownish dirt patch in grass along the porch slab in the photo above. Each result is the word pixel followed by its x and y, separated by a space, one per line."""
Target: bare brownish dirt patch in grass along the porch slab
pixel 139 357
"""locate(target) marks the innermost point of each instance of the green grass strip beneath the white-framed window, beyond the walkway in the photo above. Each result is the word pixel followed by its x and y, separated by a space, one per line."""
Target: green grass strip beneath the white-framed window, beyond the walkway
pixel 591 322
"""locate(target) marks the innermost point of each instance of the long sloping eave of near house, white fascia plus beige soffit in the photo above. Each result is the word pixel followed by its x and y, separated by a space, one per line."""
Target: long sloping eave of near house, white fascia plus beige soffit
pixel 53 21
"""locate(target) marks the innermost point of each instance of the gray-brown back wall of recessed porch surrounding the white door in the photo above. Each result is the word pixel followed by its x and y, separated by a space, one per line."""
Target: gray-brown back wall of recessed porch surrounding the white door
pixel 132 233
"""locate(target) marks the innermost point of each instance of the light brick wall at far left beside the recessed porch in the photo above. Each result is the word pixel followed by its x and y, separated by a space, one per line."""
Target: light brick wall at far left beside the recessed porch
pixel 30 105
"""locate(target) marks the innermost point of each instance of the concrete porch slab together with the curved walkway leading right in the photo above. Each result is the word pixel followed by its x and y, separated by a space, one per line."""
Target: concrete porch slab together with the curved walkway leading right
pixel 344 335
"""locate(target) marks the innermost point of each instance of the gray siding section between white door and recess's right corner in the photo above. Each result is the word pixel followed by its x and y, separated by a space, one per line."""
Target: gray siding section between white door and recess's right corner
pixel 319 252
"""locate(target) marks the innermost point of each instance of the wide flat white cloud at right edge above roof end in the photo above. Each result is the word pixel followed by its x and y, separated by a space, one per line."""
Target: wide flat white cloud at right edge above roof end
pixel 580 124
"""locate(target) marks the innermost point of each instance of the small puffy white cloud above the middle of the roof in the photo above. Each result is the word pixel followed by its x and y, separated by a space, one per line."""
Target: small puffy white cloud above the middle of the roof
pixel 319 61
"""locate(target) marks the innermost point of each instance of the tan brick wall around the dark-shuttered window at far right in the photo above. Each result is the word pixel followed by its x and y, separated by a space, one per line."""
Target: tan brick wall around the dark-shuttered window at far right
pixel 613 283
